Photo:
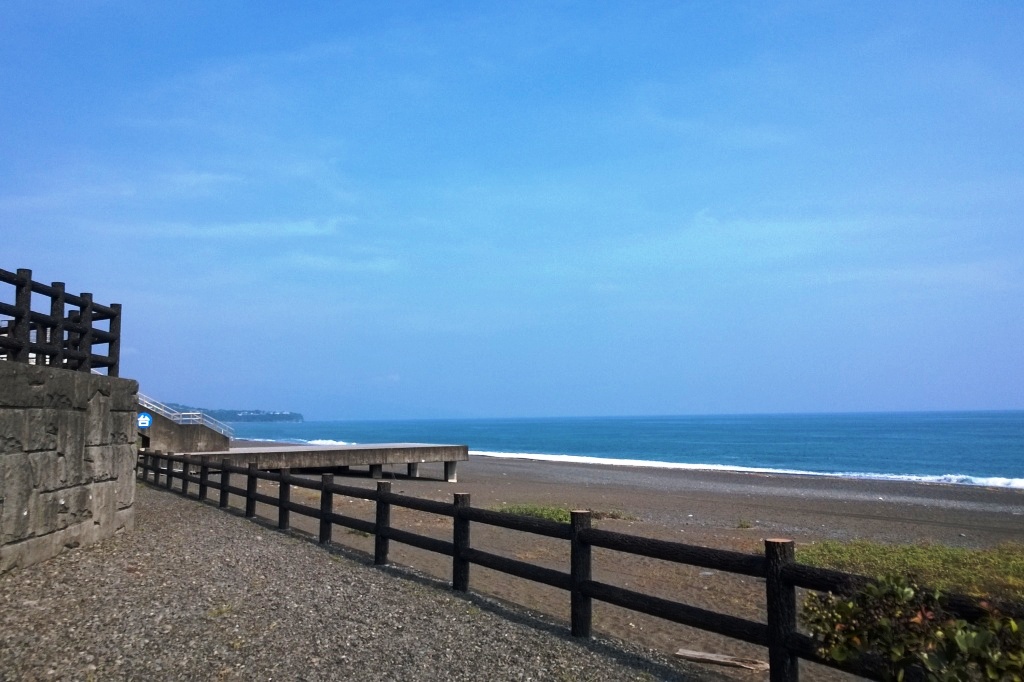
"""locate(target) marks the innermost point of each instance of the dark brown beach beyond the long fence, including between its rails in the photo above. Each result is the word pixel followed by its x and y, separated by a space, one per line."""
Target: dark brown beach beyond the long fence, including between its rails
pixel 718 509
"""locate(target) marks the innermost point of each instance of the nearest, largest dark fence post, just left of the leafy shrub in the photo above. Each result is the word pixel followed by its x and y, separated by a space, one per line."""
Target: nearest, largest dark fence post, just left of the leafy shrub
pixel 782 598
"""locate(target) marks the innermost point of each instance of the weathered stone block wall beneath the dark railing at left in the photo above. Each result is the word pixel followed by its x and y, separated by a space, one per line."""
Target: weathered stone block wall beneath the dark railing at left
pixel 67 460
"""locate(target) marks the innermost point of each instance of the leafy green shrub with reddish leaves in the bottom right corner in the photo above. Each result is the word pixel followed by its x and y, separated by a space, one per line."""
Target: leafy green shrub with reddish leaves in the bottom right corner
pixel 897 624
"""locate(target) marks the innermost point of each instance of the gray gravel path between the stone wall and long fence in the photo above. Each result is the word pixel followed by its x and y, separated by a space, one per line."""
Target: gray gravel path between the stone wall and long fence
pixel 199 593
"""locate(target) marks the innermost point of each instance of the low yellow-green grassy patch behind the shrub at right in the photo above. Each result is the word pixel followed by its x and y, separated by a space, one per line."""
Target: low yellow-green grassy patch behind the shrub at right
pixel 995 573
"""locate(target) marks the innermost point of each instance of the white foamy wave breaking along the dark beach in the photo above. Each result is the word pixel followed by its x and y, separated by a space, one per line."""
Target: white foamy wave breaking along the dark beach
pixel 957 480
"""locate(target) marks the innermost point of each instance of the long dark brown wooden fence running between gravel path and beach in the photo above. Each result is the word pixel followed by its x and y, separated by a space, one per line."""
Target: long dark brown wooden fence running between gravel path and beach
pixel 778 568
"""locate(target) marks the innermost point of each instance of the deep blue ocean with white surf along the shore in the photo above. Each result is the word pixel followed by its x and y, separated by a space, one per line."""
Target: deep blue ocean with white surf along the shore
pixel 965 448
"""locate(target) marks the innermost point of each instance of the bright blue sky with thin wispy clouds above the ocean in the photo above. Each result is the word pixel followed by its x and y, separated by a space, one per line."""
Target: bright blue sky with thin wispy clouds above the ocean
pixel 495 209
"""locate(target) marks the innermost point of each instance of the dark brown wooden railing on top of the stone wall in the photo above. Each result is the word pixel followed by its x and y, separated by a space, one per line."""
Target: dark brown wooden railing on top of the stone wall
pixel 59 337
